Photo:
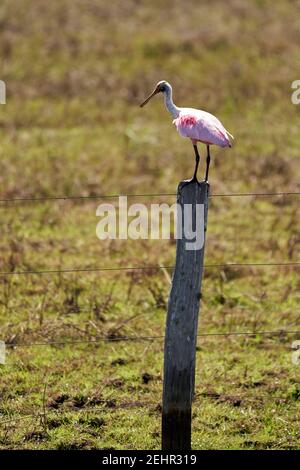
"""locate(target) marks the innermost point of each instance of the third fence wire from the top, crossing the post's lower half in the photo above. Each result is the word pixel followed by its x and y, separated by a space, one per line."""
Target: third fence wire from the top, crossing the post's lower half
pixel 112 338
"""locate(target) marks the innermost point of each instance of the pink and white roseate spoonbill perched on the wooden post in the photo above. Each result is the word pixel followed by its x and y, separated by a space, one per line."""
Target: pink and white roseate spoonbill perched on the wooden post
pixel 195 124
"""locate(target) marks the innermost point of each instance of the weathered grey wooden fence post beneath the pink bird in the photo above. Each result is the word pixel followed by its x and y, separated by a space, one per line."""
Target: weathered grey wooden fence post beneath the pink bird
pixel 182 318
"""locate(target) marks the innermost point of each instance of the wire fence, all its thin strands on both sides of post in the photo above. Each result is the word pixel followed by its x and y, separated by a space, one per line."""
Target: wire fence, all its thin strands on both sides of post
pixel 113 404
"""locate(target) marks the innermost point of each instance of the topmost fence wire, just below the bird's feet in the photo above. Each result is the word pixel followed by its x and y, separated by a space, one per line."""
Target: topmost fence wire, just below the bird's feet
pixel 115 196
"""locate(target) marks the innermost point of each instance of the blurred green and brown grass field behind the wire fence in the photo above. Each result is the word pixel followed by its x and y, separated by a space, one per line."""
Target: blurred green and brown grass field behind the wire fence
pixel 75 73
